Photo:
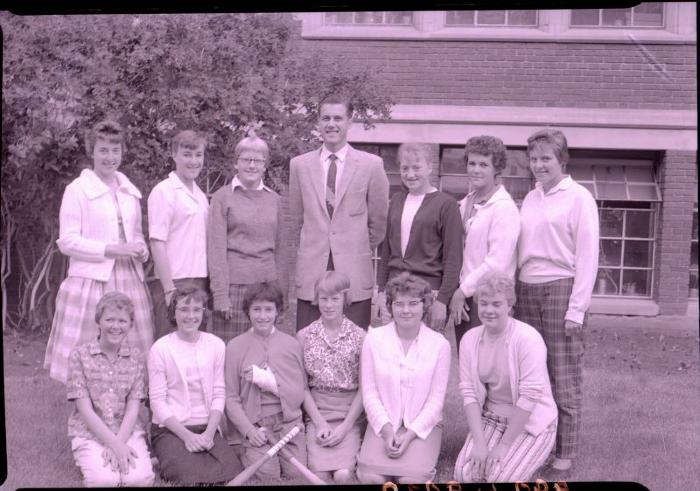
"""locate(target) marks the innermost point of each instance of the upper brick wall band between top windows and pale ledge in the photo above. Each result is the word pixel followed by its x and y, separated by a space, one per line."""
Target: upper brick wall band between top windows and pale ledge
pixel 594 75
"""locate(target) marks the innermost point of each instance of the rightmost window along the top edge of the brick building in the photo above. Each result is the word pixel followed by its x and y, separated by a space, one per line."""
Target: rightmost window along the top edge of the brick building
pixel 649 14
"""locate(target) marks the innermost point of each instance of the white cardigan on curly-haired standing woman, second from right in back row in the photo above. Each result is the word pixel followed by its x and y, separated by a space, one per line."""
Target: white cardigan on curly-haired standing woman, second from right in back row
pixel 491 243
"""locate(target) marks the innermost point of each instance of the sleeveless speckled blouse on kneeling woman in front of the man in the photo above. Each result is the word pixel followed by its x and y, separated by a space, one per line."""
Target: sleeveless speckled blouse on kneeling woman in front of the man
pixel 333 366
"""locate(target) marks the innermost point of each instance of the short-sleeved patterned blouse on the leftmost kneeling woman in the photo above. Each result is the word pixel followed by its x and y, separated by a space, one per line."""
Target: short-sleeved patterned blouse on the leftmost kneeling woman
pixel 108 385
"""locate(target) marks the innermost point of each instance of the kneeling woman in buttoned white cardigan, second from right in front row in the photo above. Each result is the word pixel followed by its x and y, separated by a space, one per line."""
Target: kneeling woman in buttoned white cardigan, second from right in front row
pixel 404 369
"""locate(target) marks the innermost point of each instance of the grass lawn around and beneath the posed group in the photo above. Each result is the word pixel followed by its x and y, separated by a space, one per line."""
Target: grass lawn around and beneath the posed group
pixel 641 400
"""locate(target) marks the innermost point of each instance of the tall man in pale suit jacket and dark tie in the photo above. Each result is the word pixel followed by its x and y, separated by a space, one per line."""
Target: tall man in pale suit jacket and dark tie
pixel 338 201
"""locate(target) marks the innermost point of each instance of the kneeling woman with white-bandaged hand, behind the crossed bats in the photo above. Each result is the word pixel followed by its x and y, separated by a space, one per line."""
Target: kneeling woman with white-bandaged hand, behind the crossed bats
pixel 265 384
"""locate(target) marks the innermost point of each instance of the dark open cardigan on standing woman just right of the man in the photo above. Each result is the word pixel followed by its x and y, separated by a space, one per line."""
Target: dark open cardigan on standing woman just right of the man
pixel 434 250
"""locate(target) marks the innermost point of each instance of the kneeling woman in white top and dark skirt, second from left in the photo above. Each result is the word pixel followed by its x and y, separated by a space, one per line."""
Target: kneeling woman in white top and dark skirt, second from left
pixel 187 396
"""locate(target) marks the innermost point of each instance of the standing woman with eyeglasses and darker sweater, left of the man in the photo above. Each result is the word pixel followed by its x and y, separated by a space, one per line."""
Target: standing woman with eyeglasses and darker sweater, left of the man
pixel 242 237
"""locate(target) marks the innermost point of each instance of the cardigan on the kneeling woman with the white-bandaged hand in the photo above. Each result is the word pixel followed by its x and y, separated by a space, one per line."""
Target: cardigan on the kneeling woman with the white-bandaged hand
pixel 243 398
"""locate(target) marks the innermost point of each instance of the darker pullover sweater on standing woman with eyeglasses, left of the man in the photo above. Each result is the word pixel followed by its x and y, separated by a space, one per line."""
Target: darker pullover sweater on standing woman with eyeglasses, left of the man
pixel 242 239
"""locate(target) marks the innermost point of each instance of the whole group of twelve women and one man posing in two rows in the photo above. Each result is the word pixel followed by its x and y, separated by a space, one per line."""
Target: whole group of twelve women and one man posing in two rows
pixel 222 383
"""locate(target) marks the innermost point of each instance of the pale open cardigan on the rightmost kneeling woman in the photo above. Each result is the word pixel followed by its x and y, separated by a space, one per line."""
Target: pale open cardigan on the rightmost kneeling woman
pixel 527 370
